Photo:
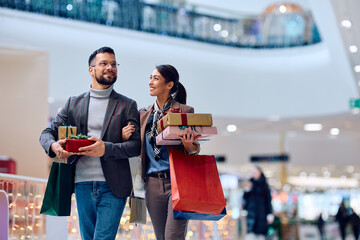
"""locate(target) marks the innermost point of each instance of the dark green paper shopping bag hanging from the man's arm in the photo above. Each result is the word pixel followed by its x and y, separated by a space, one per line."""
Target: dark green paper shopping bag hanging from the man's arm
pixel 59 188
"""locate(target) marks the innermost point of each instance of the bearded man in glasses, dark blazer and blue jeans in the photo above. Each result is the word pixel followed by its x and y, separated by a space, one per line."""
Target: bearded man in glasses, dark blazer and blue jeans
pixel 102 173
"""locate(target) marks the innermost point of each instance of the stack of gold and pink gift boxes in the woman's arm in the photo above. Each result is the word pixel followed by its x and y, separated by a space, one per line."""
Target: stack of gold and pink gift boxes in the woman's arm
pixel 174 124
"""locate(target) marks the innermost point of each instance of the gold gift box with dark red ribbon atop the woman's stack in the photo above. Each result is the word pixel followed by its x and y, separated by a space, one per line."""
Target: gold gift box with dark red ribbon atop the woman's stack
pixel 184 119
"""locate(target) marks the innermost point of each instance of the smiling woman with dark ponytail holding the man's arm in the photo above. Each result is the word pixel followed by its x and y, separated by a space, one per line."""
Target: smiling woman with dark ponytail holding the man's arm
pixel 170 97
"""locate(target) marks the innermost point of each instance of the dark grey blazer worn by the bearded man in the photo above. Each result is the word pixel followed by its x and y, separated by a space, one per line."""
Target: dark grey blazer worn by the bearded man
pixel 115 162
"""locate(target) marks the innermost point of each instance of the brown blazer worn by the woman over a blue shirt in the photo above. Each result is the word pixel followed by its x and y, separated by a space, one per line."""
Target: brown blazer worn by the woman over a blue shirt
pixel 144 117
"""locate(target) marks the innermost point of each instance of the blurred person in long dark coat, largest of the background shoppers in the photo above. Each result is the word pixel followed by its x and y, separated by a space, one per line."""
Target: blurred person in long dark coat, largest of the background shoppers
pixel 257 203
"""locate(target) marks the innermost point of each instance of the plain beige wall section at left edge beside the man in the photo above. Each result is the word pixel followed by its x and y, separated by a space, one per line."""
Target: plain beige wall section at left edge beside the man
pixel 23 108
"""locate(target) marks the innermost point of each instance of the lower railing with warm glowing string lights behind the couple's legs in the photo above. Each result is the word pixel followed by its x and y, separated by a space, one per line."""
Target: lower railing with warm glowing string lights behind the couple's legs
pixel 25 221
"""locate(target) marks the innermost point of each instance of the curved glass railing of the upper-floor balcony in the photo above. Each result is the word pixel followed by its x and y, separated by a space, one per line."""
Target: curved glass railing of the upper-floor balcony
pixel 184 21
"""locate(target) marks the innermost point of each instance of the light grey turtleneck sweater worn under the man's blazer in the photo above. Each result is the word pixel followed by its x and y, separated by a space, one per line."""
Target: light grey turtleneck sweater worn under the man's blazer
pixel 89 168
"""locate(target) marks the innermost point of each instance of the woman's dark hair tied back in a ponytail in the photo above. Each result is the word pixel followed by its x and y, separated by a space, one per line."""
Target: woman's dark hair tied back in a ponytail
pixel 171 75
